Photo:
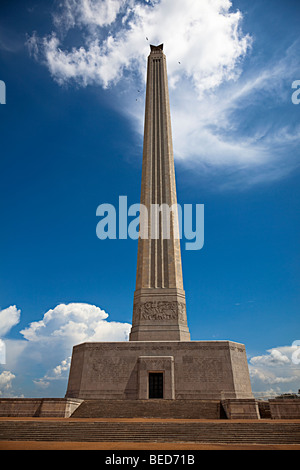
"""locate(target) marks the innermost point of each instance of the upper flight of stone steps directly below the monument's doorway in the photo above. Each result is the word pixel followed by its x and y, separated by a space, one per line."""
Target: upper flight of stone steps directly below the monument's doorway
pixel 187 409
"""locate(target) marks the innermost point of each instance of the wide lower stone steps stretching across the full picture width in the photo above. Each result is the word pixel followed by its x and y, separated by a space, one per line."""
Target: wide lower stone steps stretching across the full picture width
pixel 105 431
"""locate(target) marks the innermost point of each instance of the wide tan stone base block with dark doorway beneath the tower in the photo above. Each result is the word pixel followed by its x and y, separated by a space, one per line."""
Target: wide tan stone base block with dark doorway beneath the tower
pixel 141 370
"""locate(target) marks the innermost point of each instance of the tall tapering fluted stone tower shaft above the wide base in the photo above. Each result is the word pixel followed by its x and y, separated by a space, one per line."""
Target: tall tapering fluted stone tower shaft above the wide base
pixel 159 310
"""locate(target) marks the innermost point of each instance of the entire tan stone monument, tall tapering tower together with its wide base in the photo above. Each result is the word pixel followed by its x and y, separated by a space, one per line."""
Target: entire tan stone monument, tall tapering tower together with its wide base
pixel 159 361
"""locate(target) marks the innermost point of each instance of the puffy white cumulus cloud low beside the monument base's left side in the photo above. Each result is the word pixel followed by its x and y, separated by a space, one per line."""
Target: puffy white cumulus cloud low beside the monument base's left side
pixel 43 356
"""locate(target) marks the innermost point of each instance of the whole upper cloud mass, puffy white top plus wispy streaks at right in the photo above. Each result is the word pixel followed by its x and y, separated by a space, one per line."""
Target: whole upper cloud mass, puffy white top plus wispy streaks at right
pixel 224 116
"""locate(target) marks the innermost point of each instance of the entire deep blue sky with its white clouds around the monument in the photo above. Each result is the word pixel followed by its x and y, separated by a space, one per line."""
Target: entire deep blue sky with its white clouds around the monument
pixel 71 139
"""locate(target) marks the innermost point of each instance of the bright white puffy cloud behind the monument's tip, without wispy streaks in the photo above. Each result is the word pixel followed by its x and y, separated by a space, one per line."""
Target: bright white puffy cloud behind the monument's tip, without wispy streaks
pixel 203 40
